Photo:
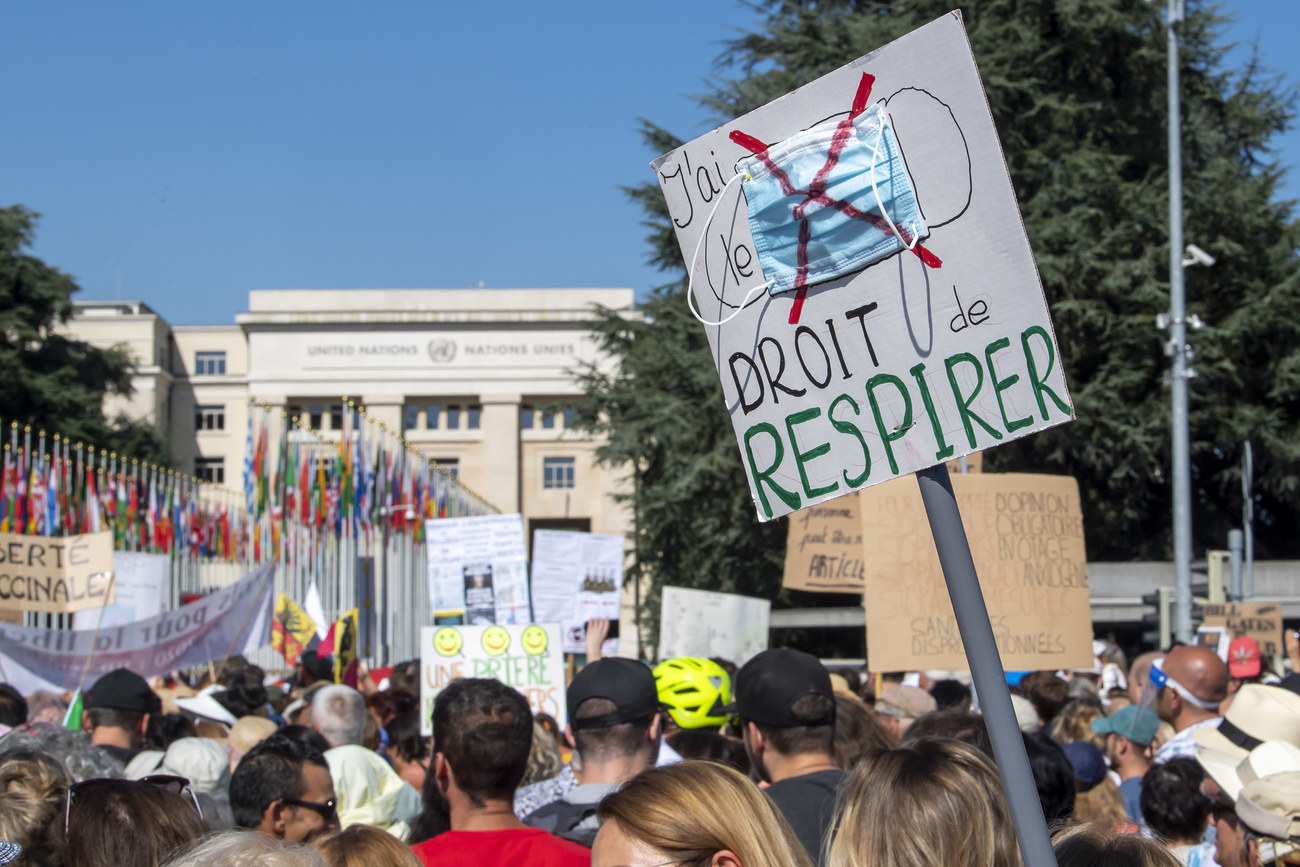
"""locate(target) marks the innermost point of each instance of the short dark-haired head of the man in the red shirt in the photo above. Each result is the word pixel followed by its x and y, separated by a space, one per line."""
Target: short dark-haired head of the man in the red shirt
pixel 482 735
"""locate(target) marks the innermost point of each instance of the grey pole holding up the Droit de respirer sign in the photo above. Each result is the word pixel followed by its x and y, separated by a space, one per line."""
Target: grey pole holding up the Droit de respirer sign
pixel 1013 764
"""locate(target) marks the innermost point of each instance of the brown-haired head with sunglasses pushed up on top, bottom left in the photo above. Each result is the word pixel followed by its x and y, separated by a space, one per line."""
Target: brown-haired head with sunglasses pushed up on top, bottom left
pixel 128 822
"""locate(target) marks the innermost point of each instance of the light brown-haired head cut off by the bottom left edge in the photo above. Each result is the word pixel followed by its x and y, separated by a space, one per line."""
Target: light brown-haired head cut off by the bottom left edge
pixel 33 787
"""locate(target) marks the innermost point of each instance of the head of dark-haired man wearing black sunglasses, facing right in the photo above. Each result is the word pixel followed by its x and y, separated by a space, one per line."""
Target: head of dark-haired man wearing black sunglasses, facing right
pixel 283 788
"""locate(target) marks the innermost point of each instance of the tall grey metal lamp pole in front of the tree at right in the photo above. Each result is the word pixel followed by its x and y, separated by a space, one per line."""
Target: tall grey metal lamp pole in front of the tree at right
pixel 1178 349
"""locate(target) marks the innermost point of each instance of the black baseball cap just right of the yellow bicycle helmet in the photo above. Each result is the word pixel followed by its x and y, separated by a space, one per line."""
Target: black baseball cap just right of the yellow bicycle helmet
pixel 770 684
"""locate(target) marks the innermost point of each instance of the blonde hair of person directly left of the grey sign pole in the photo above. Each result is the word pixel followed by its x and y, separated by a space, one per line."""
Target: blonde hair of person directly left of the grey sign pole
pixel 934 804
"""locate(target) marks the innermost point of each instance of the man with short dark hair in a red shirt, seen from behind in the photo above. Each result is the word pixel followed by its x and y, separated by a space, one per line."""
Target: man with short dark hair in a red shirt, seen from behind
pixel 482 735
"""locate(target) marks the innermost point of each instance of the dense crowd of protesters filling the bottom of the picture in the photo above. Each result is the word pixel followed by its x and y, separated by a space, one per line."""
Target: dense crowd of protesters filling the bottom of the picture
pixel 1181 758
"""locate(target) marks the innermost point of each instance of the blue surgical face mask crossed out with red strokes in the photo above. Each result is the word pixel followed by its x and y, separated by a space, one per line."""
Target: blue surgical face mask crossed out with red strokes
pixel 831 201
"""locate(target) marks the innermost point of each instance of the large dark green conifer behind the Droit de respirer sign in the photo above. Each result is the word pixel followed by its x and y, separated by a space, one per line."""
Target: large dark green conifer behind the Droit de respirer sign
pixel 1078 90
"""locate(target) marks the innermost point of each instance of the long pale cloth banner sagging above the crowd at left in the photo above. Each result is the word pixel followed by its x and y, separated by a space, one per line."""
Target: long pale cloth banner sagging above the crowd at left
pixel 236 619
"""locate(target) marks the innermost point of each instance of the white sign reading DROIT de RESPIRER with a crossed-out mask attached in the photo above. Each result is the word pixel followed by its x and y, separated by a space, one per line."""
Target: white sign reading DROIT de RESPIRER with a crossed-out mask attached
pixel 904 322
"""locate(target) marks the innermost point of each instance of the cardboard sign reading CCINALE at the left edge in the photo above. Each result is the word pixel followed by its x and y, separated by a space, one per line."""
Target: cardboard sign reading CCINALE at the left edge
pixel 57 574
